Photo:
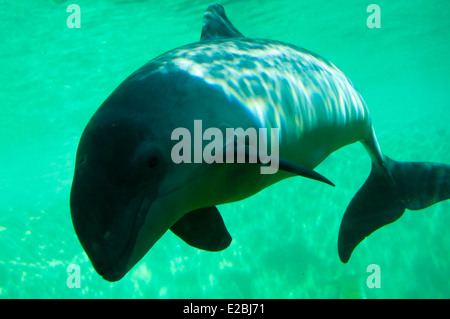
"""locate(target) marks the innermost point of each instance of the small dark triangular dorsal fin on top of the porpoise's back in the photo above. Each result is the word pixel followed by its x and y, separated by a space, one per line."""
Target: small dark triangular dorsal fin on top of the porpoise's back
pixel 216 24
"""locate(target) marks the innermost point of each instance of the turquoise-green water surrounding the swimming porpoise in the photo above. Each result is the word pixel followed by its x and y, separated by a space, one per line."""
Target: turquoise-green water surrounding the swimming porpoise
pixel 284 238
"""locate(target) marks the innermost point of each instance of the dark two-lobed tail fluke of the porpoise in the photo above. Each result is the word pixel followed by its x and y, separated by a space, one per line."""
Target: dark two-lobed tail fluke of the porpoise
pixel 385 196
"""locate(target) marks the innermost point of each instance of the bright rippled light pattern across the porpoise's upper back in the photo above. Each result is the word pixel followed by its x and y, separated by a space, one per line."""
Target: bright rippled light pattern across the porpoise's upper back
pixel 281 85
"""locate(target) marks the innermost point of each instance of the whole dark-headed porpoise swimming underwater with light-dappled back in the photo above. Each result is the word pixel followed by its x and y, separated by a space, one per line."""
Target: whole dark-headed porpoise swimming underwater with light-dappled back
pixel 129 189
